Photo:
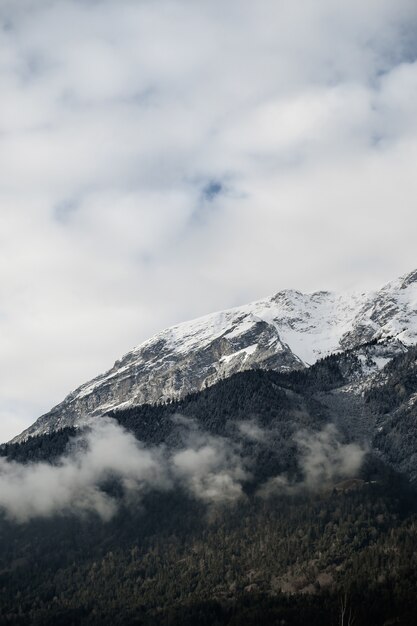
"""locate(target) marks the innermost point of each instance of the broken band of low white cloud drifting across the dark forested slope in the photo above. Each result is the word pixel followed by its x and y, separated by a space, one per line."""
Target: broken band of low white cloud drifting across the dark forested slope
pixel 207 467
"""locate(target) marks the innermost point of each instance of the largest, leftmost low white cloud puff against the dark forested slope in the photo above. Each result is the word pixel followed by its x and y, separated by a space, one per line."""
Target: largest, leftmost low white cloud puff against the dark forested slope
pixel 74 484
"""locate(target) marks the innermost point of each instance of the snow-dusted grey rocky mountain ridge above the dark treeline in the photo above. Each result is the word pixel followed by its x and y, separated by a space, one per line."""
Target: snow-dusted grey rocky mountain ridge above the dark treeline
pixel 285 332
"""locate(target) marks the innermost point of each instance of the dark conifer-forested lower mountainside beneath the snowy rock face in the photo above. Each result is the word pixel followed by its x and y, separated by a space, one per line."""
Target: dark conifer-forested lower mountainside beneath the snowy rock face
pixel 297 552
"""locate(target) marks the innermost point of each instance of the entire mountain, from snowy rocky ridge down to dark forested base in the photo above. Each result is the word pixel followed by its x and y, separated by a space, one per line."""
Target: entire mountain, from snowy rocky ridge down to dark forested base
pixel 281 494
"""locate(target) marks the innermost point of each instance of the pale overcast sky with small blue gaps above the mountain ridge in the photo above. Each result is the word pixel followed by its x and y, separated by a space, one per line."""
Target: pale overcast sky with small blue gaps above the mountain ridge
pixel 162 159
